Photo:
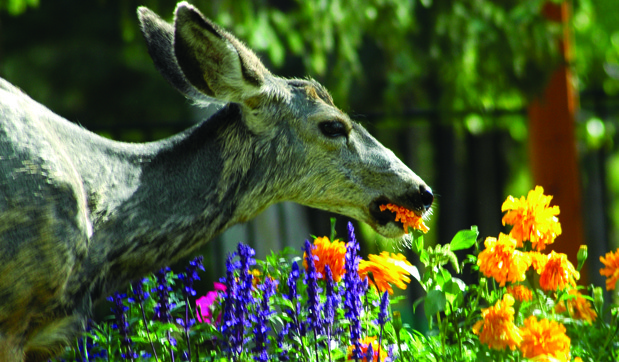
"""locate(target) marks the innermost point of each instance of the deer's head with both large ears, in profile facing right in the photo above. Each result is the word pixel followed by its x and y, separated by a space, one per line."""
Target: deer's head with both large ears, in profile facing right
pixel 323 158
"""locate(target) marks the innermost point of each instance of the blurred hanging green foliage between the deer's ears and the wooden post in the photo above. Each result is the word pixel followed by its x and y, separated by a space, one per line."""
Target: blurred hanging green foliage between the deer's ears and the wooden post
pixel 461 53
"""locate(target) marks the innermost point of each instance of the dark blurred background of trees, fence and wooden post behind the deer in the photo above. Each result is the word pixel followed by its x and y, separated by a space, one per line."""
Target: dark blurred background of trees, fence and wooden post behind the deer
pixel 459 89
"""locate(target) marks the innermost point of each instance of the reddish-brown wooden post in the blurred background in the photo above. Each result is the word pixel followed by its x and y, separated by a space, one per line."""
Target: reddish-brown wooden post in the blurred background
pixel 554 160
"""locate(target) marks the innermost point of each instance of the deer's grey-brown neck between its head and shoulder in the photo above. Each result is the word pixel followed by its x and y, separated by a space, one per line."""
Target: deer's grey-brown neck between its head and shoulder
pixel 178 194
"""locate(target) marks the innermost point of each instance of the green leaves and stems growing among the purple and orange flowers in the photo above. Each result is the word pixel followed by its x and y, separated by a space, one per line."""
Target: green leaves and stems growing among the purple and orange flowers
pixel 451 307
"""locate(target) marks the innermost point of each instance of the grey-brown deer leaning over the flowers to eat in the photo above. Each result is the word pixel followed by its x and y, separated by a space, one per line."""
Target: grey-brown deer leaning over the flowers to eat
pixel 82 216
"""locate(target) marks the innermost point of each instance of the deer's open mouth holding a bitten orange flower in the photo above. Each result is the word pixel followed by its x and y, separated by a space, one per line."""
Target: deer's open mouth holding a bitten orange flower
pixel 385 212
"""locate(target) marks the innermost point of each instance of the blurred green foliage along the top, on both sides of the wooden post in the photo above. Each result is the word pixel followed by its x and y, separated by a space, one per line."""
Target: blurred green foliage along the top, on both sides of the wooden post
pixel 447 55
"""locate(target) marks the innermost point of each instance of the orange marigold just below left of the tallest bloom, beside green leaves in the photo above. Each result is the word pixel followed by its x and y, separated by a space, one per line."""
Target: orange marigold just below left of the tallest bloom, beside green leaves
pixel 502 261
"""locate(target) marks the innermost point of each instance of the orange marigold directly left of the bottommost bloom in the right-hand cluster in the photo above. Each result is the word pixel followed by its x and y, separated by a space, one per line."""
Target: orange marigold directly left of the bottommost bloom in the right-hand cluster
pixel 499 330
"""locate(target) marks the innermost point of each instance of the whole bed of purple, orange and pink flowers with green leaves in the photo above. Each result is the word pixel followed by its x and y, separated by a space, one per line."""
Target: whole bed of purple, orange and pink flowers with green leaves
pixel 326 303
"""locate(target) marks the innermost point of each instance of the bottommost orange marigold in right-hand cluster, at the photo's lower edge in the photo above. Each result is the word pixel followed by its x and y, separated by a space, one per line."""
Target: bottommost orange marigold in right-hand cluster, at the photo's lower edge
pixel 544 340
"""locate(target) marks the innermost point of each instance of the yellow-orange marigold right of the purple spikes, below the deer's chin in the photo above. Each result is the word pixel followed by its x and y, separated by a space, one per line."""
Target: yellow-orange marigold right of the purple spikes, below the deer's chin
pixel 386 269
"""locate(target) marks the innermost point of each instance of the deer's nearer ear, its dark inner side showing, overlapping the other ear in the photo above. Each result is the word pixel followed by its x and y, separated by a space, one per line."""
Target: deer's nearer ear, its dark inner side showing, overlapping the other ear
pixel 214 61
